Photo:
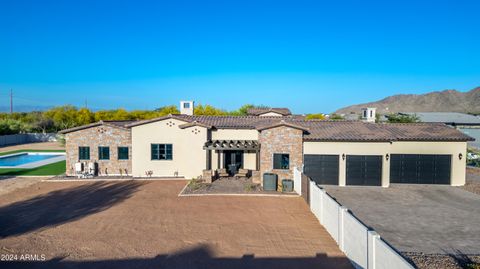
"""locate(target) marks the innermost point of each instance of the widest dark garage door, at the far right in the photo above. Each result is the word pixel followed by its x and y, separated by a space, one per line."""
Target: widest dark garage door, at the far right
pixel 420 168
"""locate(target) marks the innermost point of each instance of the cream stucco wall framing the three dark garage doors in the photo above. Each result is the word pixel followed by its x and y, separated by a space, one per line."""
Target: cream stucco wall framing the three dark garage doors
pixel 351 148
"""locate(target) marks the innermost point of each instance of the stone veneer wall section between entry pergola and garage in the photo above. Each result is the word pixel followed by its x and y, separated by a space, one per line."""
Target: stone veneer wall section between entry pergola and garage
pixel 281 139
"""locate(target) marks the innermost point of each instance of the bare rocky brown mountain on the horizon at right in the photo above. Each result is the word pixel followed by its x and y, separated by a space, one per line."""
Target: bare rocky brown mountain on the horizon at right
pixel 439 101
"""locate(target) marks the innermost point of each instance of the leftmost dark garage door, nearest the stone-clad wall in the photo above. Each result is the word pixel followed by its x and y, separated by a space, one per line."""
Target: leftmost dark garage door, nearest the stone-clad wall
pixel 323 169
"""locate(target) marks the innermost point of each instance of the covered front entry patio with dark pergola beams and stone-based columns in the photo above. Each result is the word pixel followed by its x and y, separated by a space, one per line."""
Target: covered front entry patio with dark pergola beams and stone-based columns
pixel 230 158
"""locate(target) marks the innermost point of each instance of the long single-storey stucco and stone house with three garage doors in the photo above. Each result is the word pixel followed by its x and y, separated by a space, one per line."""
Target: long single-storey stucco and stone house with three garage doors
pixel 330 152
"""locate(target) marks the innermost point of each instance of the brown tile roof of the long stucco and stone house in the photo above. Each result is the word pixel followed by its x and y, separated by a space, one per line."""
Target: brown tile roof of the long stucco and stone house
pixel 316 130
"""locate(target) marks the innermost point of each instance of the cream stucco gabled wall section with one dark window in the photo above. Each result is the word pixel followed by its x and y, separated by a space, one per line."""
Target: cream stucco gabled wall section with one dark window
pixel 189 157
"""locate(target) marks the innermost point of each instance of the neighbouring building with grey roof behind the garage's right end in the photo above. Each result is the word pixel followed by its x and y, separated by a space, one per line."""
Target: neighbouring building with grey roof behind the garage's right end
pixel 466 123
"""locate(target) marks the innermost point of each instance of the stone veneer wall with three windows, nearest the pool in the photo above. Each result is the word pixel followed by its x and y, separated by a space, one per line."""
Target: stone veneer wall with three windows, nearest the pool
pixel 94 137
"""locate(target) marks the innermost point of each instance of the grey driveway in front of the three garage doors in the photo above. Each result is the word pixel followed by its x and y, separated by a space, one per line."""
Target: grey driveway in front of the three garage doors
pixel 418 218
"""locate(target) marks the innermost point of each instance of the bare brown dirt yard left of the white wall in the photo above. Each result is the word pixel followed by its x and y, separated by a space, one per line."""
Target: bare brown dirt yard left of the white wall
pixel 145 224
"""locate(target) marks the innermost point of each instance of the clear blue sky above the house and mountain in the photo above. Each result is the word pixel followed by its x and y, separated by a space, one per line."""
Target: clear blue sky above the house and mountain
pixel 311 56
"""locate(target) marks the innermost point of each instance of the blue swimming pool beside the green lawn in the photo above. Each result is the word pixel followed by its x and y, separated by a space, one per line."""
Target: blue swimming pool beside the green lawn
pixel 30 159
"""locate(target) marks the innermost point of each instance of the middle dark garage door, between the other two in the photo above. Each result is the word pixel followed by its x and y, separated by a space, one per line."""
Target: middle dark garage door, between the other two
pixel 364 170
